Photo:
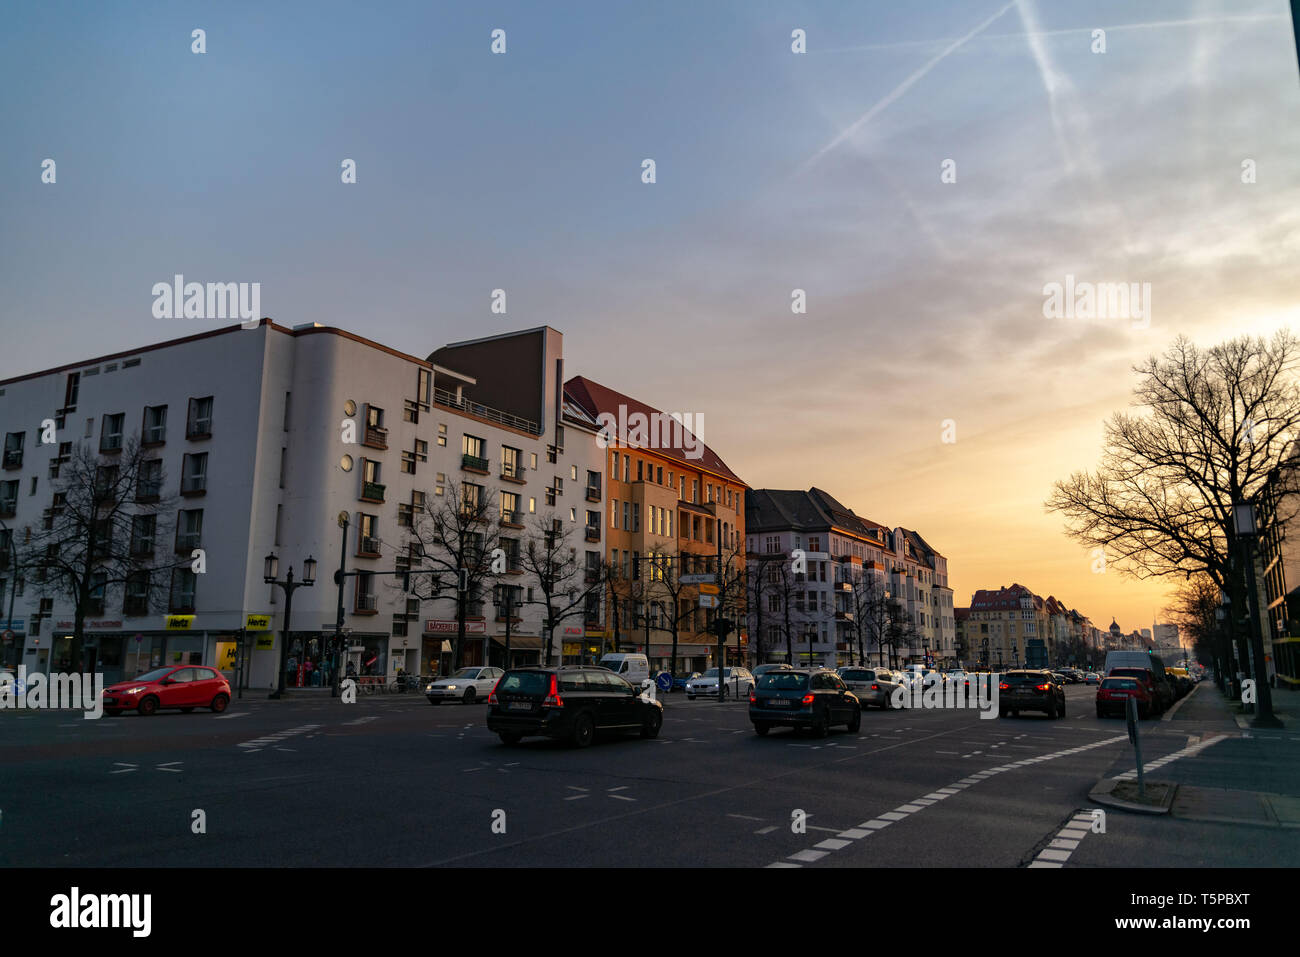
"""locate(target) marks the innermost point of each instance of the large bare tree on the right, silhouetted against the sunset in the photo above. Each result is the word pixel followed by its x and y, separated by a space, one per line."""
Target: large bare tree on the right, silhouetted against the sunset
pixel 1216 425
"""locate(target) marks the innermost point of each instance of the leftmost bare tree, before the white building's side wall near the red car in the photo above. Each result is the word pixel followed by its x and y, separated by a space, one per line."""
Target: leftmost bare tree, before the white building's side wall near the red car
pixel 105 530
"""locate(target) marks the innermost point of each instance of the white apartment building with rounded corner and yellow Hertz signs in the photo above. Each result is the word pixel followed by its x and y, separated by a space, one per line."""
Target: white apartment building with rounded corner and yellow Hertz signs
pixel 266 438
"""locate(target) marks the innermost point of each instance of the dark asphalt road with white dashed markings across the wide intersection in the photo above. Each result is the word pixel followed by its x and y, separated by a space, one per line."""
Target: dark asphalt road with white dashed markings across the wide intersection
pixel 395 782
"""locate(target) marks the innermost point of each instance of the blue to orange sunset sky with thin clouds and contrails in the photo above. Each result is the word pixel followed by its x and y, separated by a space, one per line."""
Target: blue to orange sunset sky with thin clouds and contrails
pixel 775 171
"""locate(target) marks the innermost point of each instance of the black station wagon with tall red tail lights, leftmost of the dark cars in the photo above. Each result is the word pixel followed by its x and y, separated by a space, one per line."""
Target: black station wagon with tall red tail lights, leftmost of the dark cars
pixel 570 704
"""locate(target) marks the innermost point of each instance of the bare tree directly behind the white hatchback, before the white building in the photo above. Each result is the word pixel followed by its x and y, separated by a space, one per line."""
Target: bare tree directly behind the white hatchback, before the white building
pixel 456 538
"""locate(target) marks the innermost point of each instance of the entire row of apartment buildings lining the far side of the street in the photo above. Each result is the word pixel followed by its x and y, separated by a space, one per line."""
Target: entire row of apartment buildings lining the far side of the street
pixel 267 439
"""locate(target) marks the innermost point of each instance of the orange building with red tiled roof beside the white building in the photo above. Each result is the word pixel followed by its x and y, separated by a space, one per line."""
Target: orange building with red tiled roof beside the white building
pixel 674 505
